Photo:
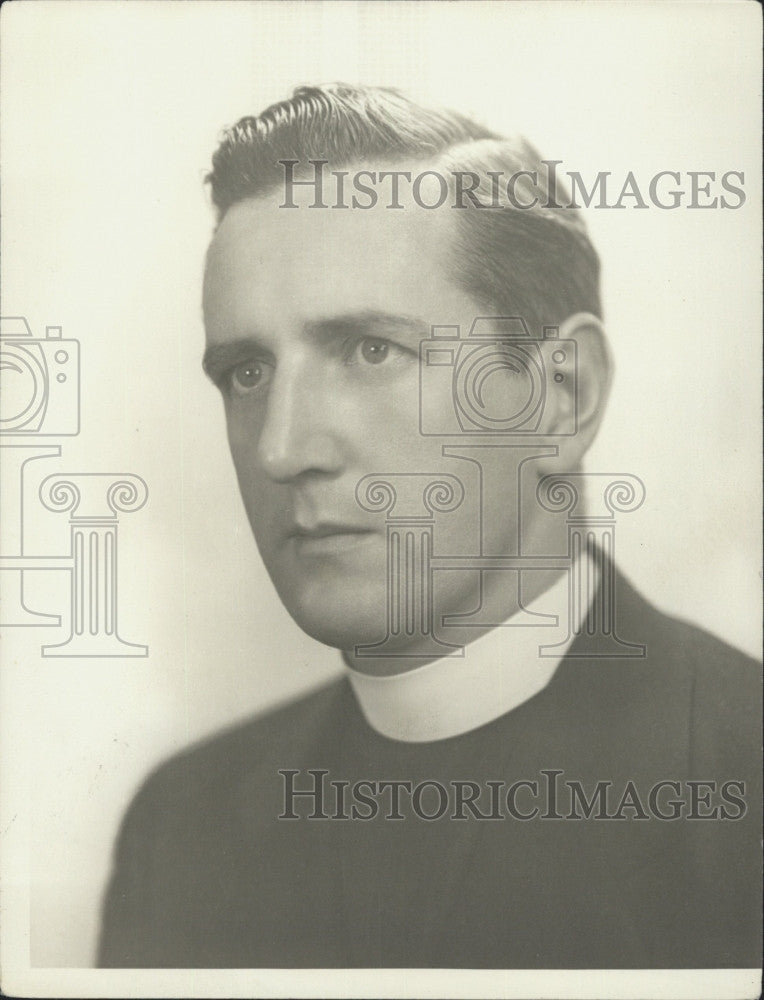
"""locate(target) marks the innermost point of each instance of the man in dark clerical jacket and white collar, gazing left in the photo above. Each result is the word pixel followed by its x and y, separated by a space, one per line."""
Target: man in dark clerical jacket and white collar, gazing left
pixel 525 765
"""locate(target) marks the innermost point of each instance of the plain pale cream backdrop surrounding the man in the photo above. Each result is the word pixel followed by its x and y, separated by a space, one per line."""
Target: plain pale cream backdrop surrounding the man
pixel 110 115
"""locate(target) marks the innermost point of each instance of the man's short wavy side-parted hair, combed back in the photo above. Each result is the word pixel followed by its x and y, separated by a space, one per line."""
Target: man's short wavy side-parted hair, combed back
pixel 536 262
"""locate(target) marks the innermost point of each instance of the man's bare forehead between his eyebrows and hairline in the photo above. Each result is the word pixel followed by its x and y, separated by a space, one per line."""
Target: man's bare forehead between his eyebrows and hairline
pixel 286 267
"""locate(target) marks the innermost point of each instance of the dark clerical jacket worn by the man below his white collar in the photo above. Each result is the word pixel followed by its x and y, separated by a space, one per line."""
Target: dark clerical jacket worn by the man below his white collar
pixel 207 875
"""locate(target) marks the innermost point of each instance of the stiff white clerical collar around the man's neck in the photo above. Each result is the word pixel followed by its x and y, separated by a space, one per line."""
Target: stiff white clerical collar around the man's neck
pixel 499 671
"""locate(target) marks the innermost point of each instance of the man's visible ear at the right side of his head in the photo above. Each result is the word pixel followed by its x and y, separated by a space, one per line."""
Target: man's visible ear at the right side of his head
pixel 577 390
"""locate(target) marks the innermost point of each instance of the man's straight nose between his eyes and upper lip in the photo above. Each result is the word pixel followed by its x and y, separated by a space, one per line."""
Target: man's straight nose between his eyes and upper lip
pixel 301 431
